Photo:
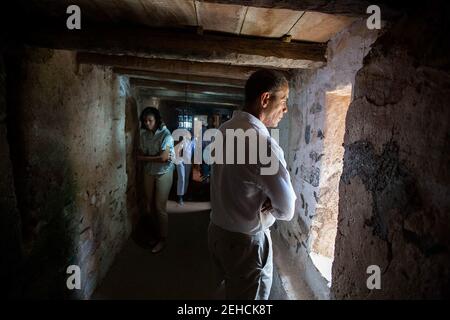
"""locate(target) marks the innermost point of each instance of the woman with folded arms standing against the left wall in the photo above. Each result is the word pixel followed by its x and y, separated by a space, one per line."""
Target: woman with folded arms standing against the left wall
pixel 156 152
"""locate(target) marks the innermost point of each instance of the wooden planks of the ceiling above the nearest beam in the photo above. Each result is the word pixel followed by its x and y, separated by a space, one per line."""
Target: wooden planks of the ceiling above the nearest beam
pixel 228 18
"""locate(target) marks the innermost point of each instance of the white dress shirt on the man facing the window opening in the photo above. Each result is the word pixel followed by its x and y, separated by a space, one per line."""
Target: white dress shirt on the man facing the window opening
pixel 238 191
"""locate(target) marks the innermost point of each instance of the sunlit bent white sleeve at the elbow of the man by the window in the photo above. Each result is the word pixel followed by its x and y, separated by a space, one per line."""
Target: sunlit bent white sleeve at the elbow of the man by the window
pixel 279 190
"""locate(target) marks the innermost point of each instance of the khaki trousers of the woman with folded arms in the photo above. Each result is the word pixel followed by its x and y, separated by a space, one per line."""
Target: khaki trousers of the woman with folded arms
pixel 156 192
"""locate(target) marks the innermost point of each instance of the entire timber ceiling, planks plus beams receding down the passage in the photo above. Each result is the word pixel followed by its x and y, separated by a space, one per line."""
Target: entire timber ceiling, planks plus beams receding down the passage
pixel 207 67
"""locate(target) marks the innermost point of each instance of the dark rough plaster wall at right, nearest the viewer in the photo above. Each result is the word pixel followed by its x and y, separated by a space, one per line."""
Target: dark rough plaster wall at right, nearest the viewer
pixel 395 204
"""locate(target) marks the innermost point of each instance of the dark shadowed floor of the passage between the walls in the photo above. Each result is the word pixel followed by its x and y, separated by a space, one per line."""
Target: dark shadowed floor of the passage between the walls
pixel 181 271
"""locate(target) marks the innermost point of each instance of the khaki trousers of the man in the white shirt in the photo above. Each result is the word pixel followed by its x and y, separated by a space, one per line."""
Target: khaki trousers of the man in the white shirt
pixel 244 261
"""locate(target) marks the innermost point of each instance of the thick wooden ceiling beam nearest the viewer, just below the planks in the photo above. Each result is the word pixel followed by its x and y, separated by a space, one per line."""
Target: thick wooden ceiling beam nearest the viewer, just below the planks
pixel 175 44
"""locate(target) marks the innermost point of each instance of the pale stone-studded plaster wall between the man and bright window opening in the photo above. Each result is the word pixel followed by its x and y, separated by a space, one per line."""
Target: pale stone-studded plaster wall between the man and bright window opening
pixel 307 125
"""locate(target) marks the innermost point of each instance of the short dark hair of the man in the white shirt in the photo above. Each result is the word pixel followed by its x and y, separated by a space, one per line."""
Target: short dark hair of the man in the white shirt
pixel 263 80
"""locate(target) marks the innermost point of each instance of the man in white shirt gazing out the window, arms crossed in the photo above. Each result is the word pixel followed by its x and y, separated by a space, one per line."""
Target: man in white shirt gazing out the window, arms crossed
pixel 245 201
